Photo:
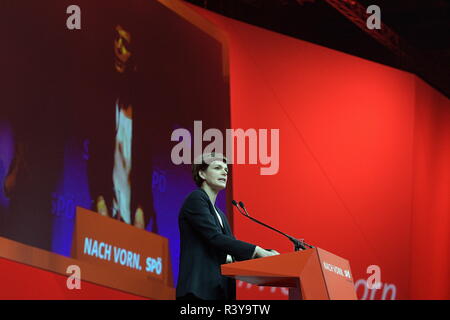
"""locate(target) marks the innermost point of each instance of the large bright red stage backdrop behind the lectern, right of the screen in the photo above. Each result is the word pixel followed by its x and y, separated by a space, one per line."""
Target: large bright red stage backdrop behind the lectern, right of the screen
pixel 364 161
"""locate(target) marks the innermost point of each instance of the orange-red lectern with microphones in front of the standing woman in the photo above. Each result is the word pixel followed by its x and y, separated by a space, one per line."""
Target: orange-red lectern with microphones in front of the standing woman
pixel 312 274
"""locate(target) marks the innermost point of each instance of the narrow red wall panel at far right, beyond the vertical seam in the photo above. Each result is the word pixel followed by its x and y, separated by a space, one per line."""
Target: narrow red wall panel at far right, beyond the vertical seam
pixel 430 244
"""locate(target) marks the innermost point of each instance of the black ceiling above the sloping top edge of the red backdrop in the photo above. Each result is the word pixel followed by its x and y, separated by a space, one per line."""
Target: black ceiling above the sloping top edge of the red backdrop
pixel 423 25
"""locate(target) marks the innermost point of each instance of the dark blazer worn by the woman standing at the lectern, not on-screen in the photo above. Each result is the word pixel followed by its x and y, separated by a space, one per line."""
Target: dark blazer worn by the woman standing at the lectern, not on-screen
pixel 204 246
